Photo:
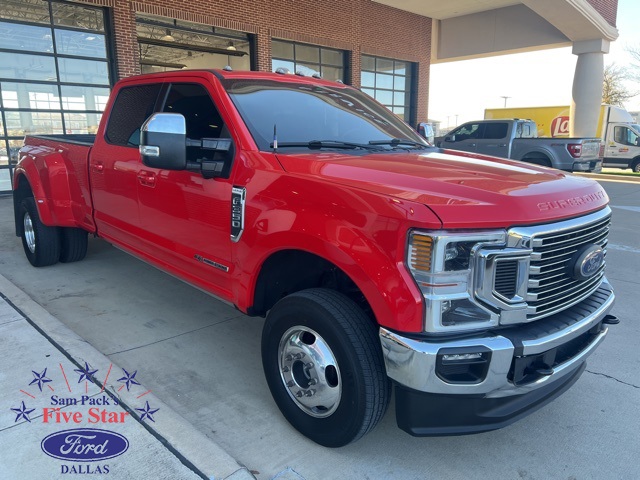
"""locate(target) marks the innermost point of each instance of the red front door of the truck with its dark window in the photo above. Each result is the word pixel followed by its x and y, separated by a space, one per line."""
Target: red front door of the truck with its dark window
pixel 187 218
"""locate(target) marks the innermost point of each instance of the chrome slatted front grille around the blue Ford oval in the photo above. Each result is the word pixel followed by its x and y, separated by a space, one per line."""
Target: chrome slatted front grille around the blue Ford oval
pixel 551 286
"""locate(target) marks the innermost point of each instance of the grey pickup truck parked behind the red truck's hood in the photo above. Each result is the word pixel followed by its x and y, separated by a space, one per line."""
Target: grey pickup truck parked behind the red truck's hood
pixel 518 139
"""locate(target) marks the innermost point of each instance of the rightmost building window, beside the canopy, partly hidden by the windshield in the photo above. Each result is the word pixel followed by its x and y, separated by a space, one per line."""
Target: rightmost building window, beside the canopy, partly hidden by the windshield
pixel 391 83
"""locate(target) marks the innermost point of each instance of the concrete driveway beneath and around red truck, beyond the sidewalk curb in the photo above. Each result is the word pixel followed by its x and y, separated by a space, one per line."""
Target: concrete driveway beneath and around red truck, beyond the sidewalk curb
pixel 202 358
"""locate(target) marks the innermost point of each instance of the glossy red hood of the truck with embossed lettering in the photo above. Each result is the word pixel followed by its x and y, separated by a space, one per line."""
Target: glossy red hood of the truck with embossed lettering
pixel 503 193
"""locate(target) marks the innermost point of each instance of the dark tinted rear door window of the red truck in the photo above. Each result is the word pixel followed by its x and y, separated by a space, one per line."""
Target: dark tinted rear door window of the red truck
pixel 131 108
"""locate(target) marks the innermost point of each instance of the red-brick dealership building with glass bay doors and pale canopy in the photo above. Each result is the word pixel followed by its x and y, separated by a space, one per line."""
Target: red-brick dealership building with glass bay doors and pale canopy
pixel 58 58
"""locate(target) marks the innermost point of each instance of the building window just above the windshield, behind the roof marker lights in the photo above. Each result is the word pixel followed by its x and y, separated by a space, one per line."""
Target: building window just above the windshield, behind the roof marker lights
pixel 308 59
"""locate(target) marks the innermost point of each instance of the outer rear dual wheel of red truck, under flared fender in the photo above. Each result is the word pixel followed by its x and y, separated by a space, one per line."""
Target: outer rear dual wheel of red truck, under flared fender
pixel 41 243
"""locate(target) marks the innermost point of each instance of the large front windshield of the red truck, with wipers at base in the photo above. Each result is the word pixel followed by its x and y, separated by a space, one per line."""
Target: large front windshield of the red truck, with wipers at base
pixel 303 113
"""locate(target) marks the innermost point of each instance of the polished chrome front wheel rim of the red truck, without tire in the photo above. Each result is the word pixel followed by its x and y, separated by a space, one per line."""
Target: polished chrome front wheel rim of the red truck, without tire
pixel 309 371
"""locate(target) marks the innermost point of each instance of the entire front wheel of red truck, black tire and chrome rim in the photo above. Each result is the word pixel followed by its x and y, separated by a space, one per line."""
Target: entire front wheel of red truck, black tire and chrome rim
pixel 323 363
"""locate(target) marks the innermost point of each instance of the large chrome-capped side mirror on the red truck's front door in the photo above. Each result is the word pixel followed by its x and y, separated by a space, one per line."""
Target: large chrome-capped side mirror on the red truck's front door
pixel 163 141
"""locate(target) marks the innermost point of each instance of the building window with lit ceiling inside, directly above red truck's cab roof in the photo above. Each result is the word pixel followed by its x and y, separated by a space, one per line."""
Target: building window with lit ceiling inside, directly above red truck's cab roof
pixel 171 44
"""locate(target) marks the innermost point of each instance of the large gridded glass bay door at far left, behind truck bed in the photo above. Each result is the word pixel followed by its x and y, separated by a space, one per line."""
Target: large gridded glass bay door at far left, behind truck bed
pixel 55 74
